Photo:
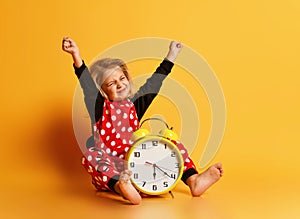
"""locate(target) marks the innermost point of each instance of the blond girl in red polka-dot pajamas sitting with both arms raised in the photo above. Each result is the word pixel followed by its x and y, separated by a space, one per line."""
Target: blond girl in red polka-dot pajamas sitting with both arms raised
pixel 115 113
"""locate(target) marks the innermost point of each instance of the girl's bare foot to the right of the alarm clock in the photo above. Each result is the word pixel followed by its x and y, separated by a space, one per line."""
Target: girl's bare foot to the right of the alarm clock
pixel 199 183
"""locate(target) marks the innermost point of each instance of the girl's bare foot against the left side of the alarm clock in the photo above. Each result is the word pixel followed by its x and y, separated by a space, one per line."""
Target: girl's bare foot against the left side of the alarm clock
pixel 126 189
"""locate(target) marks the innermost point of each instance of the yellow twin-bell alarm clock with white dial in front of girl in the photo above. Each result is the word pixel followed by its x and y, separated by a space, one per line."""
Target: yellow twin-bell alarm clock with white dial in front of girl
pixel 155 161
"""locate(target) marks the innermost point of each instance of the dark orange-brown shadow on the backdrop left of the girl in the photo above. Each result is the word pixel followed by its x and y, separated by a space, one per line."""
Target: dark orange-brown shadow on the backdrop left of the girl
pixel 61 151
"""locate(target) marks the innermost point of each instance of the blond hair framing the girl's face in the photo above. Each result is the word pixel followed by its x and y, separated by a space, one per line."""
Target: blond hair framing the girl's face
pixel 101 67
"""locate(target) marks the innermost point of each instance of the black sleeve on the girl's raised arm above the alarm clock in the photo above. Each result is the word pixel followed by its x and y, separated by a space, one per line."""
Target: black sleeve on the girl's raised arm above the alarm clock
pixel 145 95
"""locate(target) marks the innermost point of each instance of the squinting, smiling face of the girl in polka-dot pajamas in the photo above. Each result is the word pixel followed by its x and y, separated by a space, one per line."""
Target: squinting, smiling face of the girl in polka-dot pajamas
pixel 116 85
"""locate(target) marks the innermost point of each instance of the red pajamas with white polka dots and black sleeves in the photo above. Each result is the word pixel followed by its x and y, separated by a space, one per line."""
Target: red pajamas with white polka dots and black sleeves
pixel 114 122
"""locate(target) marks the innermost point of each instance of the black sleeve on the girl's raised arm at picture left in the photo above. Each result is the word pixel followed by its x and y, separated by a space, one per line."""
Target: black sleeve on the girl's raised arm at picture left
pixel 92 97
